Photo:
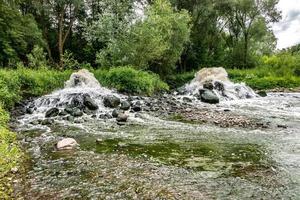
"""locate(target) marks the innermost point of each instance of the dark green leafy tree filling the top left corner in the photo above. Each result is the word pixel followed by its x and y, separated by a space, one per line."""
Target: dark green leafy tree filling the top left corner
pixel 16 40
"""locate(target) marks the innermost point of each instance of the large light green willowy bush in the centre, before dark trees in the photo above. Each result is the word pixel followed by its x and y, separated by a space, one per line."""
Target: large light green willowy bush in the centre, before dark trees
pixel 158 40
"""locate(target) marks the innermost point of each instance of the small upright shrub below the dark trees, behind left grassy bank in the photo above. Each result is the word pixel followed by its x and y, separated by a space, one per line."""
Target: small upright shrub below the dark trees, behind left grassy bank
pixel 37 58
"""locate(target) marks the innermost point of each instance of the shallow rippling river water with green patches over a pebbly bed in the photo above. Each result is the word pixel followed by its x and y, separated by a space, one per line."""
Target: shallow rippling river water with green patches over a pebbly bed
pixel 151 158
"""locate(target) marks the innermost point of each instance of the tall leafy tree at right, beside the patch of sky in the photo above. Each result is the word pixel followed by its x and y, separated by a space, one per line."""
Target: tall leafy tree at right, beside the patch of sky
pixel 242 17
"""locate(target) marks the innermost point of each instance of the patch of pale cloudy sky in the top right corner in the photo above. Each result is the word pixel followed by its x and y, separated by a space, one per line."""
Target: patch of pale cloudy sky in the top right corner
pixel 287 31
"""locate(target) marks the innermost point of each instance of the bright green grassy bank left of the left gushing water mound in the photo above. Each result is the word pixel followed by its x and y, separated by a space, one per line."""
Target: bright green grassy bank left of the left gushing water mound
pixel 15 84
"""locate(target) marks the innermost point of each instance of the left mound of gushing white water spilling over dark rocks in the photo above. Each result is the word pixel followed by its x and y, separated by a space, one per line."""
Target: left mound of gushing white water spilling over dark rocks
pixel 80 85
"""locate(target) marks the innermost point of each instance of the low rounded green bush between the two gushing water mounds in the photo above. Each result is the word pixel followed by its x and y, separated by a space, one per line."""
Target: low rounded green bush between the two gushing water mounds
pixel 129 80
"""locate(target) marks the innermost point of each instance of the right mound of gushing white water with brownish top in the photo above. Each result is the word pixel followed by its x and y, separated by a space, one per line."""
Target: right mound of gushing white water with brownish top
pixel 216 79
